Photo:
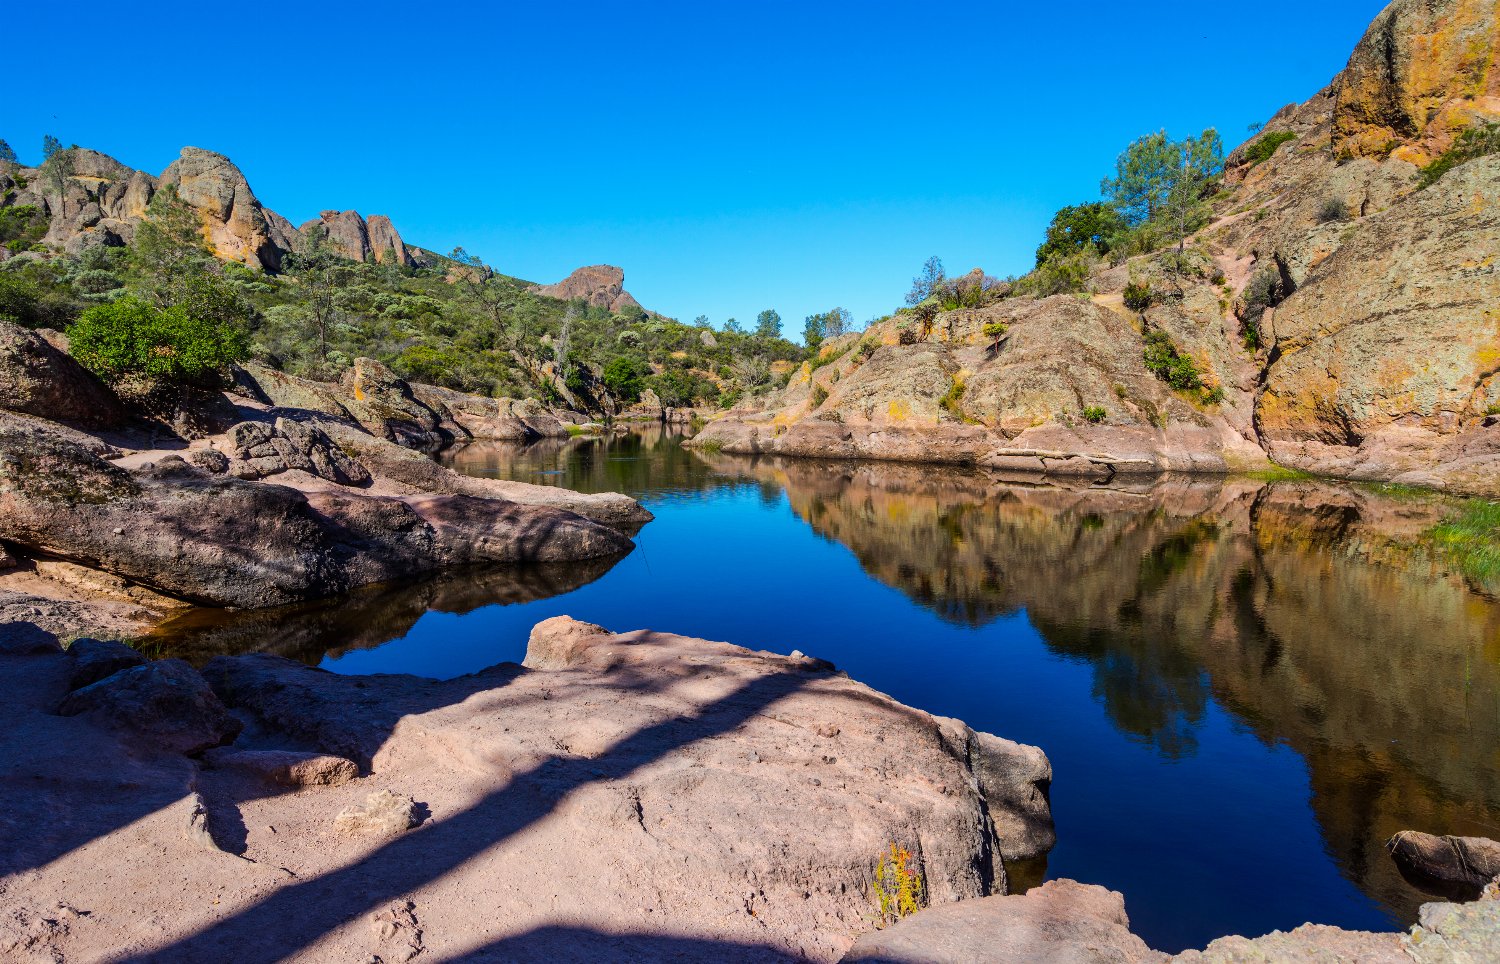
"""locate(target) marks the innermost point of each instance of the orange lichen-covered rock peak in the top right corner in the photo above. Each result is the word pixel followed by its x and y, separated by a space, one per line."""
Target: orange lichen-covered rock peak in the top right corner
pixel 1423 73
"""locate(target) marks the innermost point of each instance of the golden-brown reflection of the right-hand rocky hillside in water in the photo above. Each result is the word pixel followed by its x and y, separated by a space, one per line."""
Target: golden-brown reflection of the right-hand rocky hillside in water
pixel 1315 612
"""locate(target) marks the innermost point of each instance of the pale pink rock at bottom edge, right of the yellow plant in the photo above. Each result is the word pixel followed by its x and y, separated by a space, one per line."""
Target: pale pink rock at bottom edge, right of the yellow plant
pixel 1060 923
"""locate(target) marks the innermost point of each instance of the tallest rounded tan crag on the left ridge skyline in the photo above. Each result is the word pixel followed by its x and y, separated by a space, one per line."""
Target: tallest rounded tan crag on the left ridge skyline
pixel 233 220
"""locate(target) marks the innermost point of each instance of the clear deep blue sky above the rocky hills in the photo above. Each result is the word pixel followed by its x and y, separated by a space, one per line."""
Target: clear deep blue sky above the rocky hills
pixel 728 157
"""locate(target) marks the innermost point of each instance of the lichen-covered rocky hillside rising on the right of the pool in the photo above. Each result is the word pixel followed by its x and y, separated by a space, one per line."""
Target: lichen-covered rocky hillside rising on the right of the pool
pixel 1336 314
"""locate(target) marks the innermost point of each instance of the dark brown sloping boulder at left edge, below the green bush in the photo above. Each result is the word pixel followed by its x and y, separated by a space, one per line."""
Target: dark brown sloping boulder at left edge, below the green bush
pixel 40 380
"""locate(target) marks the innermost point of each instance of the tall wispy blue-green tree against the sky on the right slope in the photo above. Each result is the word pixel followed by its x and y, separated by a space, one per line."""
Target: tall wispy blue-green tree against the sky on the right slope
pixel 1163 182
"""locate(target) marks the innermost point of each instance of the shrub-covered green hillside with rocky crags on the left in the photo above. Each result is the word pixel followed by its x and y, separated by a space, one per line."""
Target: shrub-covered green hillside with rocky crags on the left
pixel 85 230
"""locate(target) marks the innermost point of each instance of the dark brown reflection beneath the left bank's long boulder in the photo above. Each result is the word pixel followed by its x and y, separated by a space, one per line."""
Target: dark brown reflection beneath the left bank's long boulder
pixel 367 618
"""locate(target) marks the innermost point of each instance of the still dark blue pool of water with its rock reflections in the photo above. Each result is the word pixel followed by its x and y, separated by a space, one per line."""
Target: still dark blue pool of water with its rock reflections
pixel 1244 687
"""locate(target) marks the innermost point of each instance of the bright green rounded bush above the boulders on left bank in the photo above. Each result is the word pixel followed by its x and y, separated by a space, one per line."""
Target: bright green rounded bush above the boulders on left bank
pixel 133 338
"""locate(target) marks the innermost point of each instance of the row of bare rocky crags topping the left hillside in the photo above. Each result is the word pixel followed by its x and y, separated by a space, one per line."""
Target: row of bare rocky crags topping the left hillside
pixel 100 202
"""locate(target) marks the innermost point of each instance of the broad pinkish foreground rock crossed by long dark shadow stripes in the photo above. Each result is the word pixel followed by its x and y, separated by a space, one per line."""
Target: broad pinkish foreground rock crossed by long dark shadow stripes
pixel 622 795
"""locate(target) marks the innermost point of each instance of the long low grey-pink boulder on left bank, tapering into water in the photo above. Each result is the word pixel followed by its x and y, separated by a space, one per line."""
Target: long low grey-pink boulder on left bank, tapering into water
pixel 220 542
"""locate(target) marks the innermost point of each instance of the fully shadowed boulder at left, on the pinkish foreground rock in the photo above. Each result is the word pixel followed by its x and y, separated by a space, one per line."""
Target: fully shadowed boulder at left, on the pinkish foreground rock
pixel 164 704
